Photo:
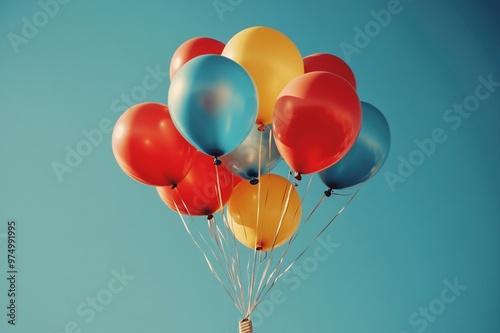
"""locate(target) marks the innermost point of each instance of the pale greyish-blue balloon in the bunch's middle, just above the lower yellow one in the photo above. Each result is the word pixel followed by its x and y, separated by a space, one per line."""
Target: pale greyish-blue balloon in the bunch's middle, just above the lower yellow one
pixel 244 160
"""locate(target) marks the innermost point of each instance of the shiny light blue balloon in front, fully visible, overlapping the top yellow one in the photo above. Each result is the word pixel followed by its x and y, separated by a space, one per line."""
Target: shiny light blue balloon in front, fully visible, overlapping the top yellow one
pixel 213 103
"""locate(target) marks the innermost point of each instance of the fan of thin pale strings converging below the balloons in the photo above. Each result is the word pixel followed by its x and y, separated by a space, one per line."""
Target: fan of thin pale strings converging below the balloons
pixel 247 275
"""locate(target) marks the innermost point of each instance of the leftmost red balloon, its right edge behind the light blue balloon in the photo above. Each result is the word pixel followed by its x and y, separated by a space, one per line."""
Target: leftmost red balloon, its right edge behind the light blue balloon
pixel 148 147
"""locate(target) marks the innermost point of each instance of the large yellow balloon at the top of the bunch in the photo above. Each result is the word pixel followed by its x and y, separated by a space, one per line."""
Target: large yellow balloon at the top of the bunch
pixel 271 59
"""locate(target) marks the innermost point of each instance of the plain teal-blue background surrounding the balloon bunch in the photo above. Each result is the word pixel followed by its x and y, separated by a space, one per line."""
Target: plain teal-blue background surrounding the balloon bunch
pixel 396 245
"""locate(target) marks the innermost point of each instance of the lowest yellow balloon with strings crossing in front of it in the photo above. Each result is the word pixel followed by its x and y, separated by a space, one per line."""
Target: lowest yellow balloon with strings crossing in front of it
pixel 267 221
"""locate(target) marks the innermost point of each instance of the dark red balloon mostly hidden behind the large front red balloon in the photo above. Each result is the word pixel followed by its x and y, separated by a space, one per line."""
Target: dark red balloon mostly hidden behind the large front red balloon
pixel 329 63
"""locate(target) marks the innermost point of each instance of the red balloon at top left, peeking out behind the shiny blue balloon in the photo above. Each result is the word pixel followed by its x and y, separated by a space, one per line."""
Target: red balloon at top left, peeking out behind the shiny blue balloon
pixel 193 48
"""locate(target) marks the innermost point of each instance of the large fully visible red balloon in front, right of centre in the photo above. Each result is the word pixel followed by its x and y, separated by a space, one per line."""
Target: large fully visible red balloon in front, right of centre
pixel 317 118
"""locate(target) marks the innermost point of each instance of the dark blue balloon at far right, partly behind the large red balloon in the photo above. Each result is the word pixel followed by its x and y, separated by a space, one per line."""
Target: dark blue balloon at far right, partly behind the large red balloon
pixel 367 155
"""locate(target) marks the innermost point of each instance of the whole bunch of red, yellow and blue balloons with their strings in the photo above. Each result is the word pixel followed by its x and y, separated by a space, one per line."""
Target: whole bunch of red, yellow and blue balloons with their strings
pixel 250 131
